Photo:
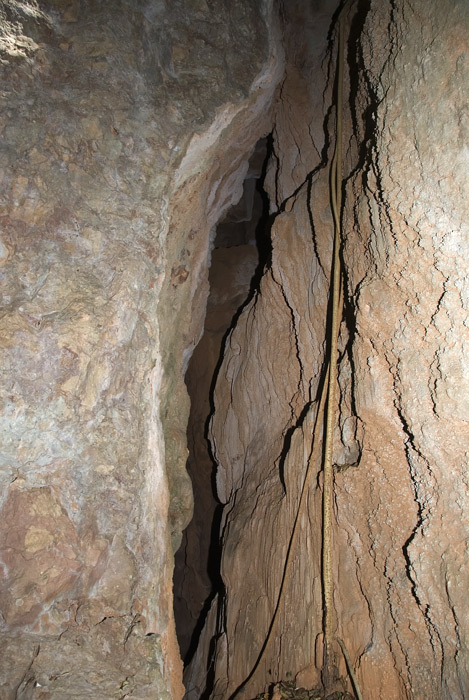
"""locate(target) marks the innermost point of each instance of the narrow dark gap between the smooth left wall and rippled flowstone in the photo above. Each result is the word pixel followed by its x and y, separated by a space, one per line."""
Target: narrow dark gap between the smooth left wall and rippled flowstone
pixel 241 250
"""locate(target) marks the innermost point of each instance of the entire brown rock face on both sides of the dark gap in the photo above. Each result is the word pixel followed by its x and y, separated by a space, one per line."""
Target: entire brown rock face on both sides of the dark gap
pixel 127 129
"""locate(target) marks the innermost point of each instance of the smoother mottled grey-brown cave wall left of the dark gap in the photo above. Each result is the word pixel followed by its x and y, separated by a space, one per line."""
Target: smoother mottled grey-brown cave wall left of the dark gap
pixel 126 131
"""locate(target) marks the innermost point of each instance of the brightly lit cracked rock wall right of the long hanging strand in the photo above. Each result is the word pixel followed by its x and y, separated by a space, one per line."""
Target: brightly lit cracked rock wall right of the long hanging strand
pixel 405 513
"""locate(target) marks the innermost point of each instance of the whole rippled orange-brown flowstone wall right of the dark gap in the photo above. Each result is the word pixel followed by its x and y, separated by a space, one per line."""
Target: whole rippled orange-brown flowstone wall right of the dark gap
pixel 401 488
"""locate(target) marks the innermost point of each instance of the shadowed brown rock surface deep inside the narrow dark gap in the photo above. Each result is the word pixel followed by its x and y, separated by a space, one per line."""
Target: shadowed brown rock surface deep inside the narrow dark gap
pixel 231 271
